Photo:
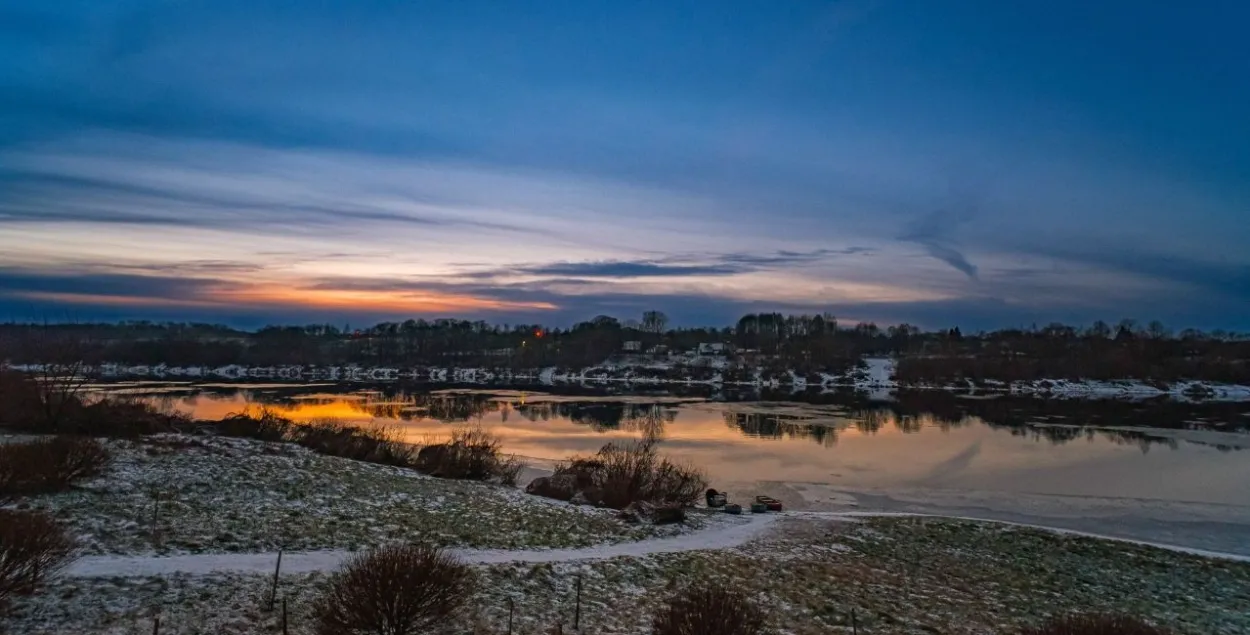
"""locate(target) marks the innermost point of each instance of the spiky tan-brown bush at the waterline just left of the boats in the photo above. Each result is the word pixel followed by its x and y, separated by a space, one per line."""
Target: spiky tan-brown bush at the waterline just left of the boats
pixel 622 474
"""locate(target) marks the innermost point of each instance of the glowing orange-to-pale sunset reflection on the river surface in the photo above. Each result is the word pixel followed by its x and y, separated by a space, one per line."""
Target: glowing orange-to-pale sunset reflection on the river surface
pixel 871 448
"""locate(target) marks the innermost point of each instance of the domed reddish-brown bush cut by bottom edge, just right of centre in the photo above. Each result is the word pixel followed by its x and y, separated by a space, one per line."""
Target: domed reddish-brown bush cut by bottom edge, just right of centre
pixel 709 611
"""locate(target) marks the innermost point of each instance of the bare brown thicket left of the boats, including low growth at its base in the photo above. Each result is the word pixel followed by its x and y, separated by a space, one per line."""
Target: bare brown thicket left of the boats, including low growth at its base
pixel 622 476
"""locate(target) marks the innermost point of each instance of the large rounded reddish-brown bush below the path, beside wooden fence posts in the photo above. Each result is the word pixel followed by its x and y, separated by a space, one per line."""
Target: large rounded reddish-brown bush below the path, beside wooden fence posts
pixel 394 591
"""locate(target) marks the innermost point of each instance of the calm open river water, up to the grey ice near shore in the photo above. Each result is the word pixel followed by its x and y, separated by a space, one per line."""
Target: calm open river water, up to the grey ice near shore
pixel 939 442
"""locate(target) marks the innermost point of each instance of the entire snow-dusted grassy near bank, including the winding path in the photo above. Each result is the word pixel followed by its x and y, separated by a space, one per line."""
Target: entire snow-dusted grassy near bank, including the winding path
pixel 204 562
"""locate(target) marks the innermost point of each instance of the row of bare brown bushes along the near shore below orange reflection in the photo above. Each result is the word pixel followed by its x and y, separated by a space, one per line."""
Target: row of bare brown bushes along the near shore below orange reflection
pixel 469 454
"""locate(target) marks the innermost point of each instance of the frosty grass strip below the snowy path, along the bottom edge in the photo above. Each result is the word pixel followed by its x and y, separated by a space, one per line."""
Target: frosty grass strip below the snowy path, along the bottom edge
pixel 898 576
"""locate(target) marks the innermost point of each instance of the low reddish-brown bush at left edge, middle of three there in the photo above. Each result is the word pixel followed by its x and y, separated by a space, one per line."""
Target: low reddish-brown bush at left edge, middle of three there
pixel 49 466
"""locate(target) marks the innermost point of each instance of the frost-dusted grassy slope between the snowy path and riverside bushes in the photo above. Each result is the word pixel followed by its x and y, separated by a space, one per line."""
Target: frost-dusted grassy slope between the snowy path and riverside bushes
pixel 181 494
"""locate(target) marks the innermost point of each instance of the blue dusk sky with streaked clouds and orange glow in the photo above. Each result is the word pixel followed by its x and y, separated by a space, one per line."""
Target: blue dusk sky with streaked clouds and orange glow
pixel 982 164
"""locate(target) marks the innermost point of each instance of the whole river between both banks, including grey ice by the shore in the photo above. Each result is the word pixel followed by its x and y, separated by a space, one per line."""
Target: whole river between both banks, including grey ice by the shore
pixel 1158 472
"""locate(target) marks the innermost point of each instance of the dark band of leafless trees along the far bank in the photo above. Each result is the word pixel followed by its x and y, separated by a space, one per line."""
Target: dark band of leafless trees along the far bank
pixel 806 344
